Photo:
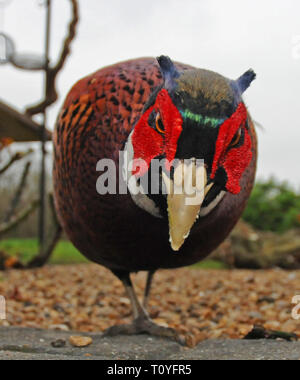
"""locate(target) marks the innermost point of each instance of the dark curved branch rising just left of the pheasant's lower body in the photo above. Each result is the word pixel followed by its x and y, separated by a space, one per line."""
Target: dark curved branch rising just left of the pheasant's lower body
pixel 42 258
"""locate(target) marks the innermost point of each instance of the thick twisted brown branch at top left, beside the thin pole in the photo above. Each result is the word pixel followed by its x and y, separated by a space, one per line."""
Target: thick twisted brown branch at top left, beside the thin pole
pixel 51 92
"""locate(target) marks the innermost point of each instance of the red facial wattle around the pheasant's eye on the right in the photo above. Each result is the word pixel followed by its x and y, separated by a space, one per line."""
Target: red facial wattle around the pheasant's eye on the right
pixel 235 160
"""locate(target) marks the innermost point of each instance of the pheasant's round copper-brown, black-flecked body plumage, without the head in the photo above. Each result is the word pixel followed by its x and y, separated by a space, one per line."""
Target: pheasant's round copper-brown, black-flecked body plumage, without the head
pixel 95 123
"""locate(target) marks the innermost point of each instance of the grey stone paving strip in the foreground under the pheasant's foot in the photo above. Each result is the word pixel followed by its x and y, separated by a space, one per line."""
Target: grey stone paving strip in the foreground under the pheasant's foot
pixel 33 344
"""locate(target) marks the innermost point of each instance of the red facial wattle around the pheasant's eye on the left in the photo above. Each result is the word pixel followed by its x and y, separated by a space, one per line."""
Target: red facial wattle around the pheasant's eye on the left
pixel 148 143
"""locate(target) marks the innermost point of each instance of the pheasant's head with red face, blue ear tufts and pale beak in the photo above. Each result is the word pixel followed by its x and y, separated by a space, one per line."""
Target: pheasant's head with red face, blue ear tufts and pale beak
pixel 197 125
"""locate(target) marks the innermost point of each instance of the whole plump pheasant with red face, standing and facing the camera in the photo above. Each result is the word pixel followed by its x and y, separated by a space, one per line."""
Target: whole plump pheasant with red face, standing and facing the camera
pixel 152 111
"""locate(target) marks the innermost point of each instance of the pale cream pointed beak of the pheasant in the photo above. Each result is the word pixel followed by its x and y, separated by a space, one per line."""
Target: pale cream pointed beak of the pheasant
pixel 185 197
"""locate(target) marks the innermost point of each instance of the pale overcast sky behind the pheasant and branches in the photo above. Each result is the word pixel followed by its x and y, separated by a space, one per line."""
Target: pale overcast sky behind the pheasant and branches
pixel 224 36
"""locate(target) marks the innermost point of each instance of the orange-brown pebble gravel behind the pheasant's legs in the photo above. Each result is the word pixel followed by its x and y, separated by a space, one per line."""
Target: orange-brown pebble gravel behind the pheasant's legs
pixel 200 304
